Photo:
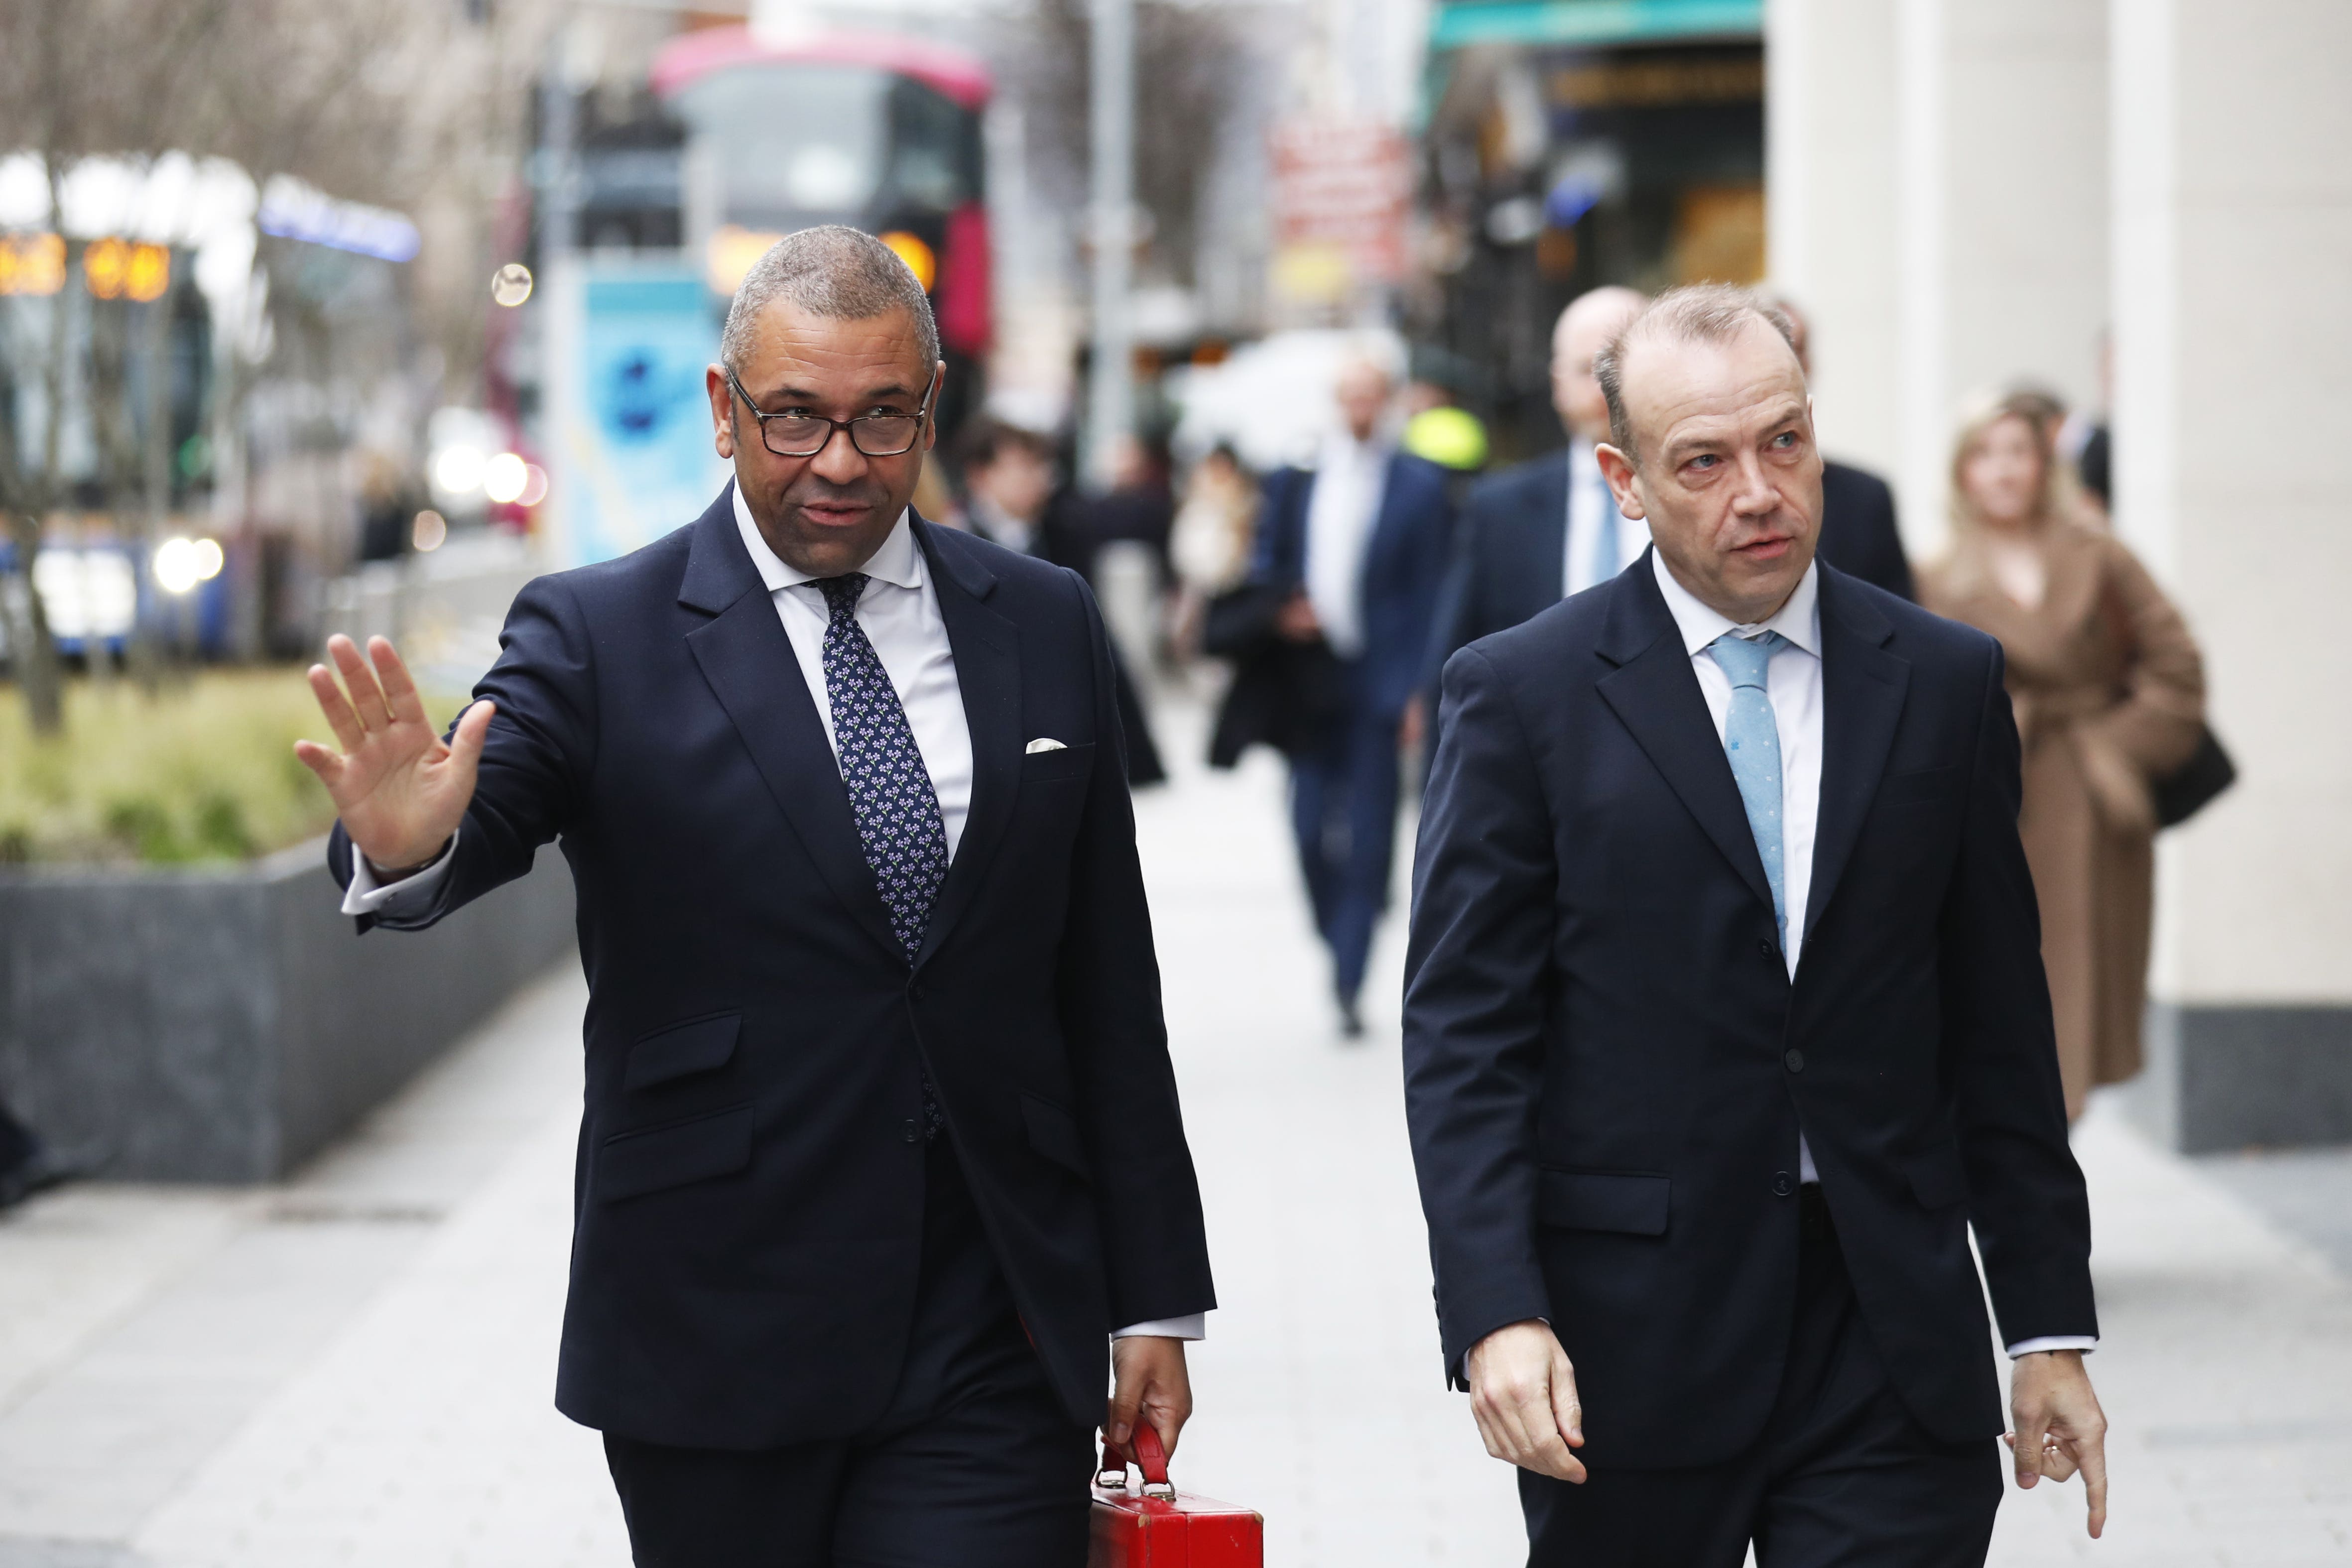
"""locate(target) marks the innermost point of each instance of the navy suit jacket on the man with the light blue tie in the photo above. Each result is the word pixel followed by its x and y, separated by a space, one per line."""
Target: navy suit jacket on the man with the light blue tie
pixel 1608 1064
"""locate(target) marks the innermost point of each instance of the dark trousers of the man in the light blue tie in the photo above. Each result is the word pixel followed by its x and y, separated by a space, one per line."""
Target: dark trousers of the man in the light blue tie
pixel 1840 1480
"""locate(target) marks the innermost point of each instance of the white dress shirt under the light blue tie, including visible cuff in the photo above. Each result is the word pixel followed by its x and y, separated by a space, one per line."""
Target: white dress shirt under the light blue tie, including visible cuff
pixel 1793 685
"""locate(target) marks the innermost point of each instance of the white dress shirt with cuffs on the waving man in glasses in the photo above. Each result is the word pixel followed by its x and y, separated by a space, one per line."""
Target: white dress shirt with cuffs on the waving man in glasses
pixel 900 617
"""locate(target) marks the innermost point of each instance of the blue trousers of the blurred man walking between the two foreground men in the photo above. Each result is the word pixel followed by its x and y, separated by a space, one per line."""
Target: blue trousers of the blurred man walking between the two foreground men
pixel 1344 812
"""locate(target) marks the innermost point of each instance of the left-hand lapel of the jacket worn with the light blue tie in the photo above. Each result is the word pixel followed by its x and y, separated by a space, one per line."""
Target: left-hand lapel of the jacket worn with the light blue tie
pixel 1657 697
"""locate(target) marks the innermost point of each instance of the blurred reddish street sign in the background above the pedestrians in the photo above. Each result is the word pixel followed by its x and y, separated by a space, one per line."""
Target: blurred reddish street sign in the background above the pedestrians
pixel 1342 199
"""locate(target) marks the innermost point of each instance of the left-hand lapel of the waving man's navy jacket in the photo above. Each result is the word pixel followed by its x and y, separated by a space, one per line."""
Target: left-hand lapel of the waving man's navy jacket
pixel 751 669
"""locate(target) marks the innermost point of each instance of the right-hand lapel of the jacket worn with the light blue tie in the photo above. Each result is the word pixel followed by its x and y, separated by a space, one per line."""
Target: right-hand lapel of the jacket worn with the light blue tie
pixel 1862 699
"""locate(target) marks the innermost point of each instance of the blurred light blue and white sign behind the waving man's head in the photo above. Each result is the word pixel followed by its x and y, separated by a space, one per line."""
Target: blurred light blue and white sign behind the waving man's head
pixel 634 424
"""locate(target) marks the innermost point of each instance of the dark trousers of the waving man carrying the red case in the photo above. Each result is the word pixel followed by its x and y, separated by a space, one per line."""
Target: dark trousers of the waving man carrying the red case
pixel 975 1463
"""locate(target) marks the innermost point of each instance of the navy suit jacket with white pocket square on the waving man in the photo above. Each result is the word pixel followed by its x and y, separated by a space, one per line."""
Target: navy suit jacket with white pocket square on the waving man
pixel 749 1186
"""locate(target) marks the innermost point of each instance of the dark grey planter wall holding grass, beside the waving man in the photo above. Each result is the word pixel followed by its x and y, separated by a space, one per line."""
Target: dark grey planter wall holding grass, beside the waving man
pixel 225 1024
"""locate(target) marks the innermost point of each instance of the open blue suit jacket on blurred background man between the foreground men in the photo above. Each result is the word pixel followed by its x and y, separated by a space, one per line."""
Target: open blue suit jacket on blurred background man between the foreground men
pixel 1403 570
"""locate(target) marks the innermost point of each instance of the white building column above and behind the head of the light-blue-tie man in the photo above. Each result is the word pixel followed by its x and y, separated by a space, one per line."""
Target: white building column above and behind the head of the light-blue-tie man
pixel 1939 208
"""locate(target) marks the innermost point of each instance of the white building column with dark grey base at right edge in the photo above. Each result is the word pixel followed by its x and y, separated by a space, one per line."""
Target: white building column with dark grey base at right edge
pixel 2233 264
